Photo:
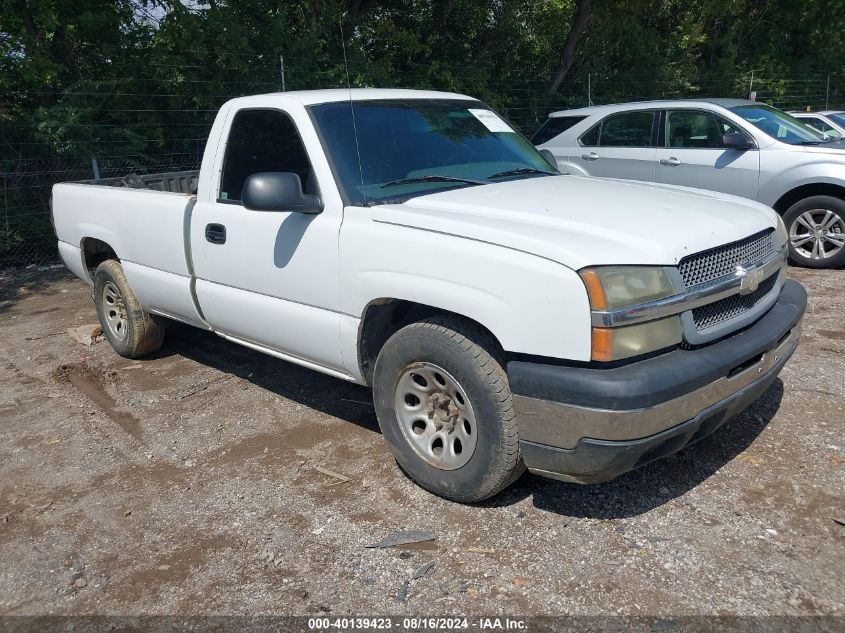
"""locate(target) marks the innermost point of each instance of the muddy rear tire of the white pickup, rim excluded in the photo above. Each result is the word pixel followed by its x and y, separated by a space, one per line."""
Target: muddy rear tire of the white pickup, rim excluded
pixel 142 333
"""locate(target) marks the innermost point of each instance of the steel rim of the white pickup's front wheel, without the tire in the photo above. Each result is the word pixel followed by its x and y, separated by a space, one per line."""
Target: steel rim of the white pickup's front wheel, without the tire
pixel 436 416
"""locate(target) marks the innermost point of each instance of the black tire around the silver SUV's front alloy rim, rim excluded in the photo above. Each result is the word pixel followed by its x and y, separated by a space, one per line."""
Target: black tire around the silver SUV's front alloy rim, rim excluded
pixel 803 254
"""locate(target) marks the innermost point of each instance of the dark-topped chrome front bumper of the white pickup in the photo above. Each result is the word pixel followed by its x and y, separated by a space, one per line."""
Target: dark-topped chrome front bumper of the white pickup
pixel 590 425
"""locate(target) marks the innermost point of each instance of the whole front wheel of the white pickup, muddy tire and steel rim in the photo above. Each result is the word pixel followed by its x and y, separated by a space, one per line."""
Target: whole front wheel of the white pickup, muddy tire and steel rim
pixel 444 406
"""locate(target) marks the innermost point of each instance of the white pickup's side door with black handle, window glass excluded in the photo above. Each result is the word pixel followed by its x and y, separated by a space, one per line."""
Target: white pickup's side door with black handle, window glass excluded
pixel 267 278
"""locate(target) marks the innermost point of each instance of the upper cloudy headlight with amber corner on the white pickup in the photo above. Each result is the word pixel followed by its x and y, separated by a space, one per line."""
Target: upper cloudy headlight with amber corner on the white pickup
pixel 612 287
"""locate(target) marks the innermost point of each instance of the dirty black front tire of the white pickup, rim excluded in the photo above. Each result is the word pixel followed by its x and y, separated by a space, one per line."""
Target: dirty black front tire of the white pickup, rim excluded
pixel 475 361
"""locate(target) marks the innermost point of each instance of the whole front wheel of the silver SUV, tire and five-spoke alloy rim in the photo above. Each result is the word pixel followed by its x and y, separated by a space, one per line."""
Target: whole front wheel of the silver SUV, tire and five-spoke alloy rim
pixel 816 227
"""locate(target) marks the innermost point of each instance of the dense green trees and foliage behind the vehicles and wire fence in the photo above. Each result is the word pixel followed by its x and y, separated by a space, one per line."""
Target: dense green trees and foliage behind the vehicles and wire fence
pixel 136 83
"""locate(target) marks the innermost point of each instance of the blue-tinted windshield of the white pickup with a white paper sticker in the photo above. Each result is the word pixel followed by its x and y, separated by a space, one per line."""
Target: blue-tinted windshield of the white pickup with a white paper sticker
pixel 390 151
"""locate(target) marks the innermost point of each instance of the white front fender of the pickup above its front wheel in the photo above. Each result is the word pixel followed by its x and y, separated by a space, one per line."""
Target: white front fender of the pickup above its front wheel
pixel 531 305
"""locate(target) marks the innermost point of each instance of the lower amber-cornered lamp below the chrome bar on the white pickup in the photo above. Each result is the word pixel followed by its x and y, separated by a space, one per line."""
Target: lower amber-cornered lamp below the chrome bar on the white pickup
pixel 616 343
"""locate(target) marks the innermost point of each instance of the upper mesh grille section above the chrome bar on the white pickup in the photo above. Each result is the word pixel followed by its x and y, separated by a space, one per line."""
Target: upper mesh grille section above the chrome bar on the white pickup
pixel 707 266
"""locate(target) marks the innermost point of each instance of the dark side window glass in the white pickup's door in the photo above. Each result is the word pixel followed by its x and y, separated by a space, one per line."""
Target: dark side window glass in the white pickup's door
pixel 262 140
